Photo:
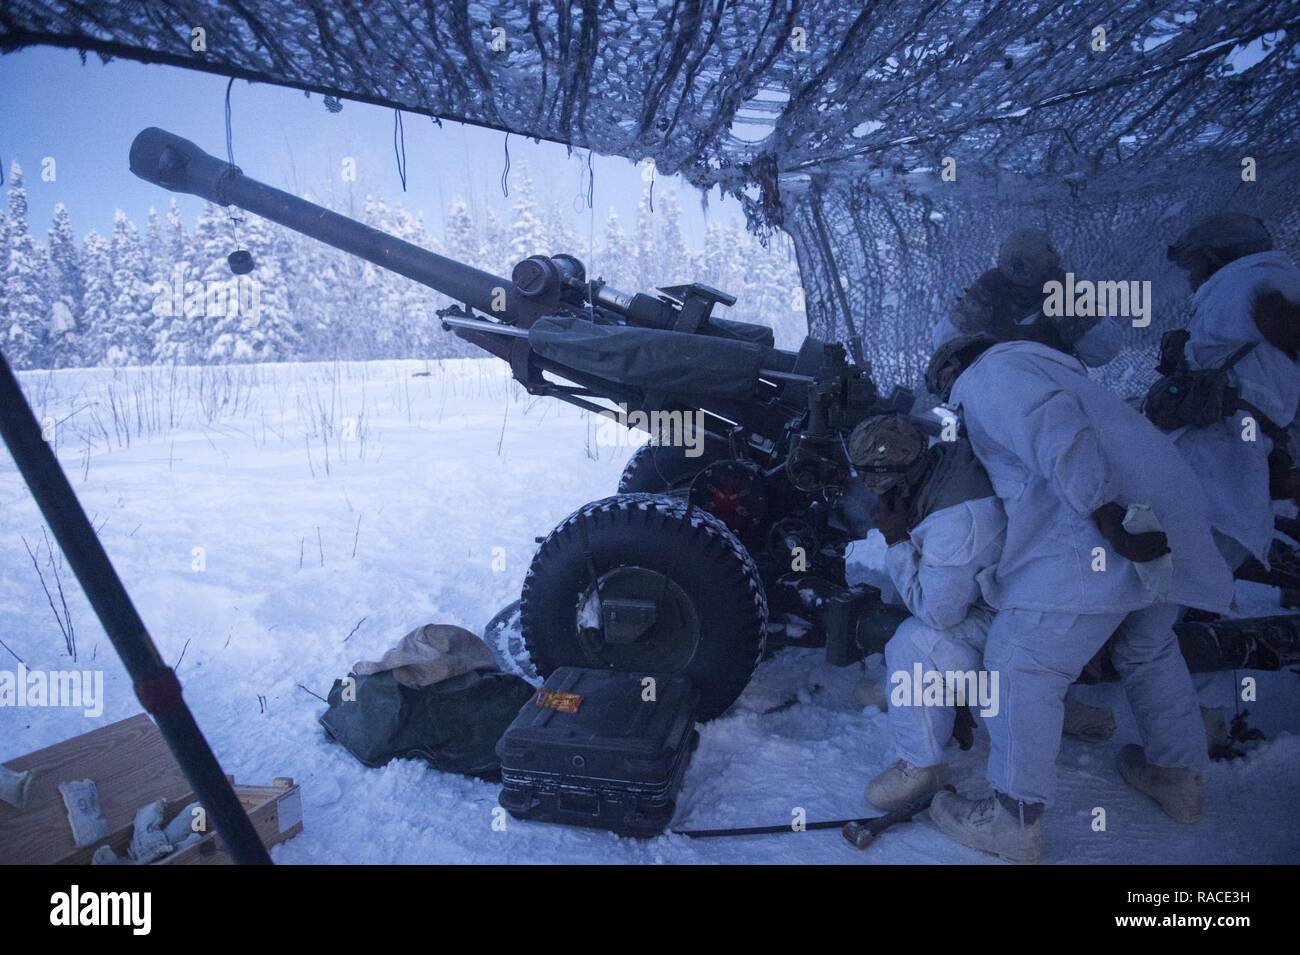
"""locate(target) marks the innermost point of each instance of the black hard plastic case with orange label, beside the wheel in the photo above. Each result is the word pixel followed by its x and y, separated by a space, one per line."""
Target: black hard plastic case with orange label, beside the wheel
pixel 617 765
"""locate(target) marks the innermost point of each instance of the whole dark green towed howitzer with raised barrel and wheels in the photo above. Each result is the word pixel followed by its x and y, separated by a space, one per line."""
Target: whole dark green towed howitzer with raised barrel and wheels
pixel 713 546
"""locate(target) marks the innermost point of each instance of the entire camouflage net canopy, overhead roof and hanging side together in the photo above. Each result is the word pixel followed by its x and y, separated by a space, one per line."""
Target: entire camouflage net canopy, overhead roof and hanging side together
pixel 1111 124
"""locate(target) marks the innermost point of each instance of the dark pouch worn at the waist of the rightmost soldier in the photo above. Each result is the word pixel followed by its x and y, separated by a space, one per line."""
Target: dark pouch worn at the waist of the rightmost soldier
pixel 1185 396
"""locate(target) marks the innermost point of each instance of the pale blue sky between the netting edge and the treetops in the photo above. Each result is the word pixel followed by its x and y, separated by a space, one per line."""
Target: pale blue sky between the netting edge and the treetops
pixel 85 118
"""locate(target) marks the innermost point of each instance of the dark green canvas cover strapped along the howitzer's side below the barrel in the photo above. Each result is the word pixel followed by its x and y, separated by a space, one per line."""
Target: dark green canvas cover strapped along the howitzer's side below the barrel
pixel 671 363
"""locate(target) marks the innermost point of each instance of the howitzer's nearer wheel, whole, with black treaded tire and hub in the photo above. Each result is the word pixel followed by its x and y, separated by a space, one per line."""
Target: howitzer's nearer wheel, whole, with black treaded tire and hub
pixel 710 611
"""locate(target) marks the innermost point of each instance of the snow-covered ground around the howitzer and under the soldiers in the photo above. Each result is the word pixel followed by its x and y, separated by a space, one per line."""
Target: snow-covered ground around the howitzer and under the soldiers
pixel 278 523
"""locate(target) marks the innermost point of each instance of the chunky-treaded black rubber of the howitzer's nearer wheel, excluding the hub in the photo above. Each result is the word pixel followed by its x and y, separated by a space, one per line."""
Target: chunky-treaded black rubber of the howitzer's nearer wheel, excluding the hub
pixel 691 548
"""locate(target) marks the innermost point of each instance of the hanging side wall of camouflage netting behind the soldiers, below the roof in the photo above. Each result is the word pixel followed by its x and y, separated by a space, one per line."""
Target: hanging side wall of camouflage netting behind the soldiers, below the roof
pixel 895 263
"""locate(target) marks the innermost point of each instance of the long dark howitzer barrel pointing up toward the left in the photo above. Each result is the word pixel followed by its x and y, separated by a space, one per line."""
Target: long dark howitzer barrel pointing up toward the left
pixel 179 166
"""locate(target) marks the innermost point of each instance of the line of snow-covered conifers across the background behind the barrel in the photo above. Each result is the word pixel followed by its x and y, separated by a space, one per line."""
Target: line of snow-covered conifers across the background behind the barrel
pixel 309 302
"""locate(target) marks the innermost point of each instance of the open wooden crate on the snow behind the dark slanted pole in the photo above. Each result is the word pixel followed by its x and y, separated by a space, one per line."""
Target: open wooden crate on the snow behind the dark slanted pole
pixel 132 767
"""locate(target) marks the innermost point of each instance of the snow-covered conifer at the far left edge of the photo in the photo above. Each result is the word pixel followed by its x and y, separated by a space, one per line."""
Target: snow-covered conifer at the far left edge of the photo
pixel 25 340
